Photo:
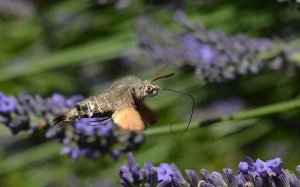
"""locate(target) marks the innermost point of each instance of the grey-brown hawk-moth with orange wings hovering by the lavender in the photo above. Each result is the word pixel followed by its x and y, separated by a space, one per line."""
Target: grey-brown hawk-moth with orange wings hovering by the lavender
pixel 122 101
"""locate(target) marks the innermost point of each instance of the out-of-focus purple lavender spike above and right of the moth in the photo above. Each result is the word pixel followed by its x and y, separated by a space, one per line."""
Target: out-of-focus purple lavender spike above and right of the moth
pixel 215 56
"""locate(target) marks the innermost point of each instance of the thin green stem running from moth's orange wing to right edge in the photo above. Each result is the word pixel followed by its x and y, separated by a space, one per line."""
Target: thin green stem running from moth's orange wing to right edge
pixel 248 114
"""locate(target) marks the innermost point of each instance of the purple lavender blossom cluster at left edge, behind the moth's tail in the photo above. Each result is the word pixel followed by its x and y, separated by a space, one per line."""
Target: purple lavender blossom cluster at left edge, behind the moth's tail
pixel 32 113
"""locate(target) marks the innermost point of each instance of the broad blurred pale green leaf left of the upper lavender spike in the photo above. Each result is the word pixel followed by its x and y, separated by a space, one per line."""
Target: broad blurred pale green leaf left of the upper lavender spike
pixel 99 50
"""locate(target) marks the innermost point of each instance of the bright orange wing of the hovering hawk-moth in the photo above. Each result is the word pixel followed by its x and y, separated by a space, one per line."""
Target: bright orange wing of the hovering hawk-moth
pixel 128 118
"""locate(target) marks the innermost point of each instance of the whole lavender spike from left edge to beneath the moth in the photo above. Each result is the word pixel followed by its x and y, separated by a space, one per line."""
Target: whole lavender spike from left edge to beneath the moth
pixel 85 138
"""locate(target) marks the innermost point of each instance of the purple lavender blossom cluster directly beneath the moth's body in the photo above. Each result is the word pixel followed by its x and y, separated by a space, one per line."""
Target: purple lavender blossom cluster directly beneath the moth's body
pixel 94 139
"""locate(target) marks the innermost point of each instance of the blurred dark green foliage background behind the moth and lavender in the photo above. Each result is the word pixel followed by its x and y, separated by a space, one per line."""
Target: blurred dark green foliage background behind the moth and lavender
pixel 80 47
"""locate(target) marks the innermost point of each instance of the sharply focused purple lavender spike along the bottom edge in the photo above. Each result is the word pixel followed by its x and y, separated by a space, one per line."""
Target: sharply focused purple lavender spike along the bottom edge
pixel 250 173
